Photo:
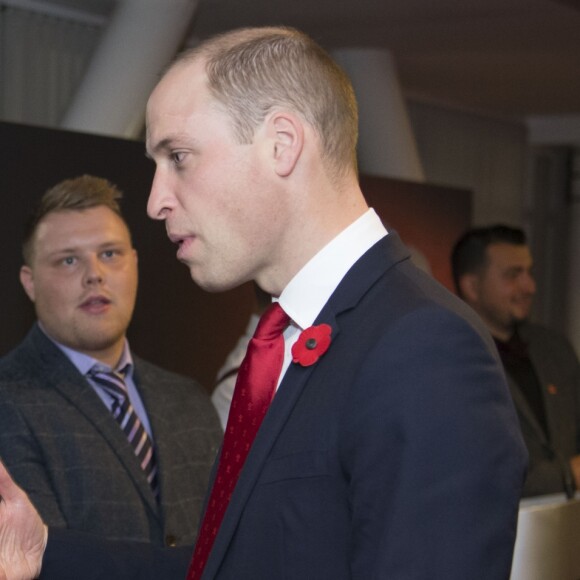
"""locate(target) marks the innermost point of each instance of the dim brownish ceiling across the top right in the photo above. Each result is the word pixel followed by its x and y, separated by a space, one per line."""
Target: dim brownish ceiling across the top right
pixel 516 58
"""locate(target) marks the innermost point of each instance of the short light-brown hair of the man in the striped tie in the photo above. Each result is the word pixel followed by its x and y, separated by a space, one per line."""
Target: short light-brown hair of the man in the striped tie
pixel 75 194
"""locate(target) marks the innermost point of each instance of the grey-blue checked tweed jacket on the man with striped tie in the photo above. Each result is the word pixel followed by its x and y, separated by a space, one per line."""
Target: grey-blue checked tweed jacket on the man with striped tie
pixel 62 445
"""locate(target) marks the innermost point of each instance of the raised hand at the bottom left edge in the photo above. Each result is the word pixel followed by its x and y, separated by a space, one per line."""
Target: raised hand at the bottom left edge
pixel 23 535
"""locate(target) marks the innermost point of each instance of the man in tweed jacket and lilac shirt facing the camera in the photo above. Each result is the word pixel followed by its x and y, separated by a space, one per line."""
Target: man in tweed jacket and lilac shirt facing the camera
pixel 59 438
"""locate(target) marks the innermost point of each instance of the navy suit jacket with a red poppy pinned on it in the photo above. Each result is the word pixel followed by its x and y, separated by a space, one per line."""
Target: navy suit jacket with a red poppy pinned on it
pixel 396 456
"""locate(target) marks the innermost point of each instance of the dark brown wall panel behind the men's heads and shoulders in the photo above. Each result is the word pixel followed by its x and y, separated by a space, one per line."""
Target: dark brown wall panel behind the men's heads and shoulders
pixel 176 324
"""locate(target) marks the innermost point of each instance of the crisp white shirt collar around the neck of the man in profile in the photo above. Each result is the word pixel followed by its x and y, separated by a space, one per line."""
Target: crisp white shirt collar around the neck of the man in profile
pixel 309 290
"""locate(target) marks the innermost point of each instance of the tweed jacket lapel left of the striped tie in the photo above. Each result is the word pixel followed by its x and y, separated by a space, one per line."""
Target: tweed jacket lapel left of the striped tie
pixel 61 375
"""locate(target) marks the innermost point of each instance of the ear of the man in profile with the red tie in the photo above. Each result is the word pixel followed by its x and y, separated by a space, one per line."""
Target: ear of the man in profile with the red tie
pixel 287 134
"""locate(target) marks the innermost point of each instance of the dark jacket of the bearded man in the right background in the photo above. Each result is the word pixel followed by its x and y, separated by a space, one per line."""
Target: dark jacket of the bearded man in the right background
pixel 558 372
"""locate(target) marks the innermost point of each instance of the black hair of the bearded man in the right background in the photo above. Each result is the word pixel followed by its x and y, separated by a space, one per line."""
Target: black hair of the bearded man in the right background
pixel 469 253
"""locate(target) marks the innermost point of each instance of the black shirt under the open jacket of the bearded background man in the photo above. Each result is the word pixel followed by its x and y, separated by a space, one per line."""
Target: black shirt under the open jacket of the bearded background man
pixel 516 361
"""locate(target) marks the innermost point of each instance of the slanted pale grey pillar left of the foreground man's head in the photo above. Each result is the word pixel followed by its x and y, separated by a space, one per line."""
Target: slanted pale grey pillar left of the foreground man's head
pixel 141 39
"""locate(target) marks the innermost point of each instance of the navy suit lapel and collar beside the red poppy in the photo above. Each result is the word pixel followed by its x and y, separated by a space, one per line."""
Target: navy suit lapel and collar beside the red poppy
pixel 363 274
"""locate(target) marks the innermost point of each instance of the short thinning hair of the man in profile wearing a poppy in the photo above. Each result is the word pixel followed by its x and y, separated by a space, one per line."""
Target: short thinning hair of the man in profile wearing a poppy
pixel 251 71
